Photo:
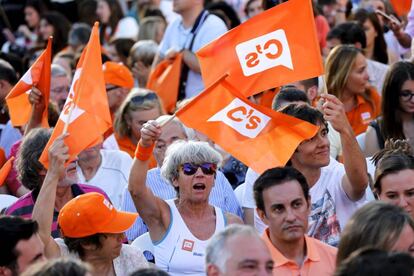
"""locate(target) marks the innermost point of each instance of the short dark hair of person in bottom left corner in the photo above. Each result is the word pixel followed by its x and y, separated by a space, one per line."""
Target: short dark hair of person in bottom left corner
pixel 12 230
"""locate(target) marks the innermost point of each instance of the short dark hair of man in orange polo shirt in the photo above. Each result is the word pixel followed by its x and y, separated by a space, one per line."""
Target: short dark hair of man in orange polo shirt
pixel 277 176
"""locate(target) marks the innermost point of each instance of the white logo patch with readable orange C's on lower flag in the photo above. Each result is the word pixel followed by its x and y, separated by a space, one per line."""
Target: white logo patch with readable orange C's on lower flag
pixel 242 118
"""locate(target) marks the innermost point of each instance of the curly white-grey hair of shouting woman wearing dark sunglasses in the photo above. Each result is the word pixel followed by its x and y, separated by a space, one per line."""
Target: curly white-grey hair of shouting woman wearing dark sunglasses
pixel 181 152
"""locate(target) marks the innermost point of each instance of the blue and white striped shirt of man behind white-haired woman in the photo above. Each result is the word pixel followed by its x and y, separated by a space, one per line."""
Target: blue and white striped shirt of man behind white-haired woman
pixel 222 196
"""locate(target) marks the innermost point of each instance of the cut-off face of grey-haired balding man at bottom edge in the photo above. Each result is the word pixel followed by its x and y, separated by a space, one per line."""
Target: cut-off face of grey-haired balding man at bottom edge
pixel 249 256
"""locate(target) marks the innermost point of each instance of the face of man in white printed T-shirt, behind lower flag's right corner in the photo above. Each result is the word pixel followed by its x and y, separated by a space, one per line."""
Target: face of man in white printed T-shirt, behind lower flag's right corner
pixel 314 152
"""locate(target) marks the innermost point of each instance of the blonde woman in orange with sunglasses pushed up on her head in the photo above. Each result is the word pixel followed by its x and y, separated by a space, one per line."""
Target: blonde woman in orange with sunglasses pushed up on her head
pixel 139 106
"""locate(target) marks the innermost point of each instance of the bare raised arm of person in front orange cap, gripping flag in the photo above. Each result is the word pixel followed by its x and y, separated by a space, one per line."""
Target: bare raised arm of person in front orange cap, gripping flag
pixel 45 203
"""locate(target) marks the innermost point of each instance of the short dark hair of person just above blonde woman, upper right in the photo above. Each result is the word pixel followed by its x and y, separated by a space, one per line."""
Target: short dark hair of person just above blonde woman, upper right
pixel 348 33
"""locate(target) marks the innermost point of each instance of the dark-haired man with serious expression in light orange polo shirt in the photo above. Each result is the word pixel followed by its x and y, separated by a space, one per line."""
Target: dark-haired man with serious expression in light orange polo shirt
pixel 283 203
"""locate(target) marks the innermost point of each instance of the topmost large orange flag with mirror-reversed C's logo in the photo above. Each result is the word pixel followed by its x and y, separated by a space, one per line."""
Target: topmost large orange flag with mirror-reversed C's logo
pixel 273 48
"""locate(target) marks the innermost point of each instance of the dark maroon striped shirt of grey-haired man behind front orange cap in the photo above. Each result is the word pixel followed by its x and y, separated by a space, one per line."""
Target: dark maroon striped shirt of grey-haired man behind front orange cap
pixel 23 207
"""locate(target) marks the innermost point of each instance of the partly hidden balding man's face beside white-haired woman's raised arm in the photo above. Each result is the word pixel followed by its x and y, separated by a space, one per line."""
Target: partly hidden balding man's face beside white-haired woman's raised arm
pixel 170 133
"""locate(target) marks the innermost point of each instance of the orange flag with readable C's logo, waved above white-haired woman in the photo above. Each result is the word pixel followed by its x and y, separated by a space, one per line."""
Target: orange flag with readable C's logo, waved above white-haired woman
pixel 259 137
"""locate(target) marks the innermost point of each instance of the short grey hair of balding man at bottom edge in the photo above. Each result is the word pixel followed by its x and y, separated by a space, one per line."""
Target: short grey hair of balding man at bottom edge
pixel 217 252
